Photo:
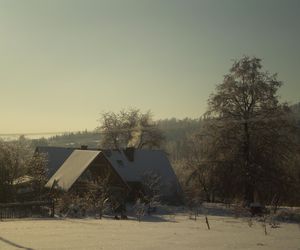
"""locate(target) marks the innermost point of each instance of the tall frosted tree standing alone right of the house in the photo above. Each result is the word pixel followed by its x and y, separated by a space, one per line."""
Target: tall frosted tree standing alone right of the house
pixel 251 130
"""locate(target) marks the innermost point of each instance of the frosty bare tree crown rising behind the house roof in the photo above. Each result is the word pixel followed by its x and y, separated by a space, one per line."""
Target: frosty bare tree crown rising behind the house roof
pixel 129 128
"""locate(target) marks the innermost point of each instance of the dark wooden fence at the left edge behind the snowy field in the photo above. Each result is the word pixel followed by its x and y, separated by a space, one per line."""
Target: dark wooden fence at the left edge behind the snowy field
pixel 27 209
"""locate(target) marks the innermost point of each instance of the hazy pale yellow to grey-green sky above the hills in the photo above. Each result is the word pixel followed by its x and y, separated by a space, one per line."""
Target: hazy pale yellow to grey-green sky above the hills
pixel 64 62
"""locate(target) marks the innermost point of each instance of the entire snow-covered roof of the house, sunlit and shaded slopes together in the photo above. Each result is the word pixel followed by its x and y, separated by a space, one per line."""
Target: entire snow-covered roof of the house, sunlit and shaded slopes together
pixel 66 165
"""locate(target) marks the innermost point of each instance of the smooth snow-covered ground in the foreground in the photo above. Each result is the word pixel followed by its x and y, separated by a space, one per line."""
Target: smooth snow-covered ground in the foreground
pixel 159 232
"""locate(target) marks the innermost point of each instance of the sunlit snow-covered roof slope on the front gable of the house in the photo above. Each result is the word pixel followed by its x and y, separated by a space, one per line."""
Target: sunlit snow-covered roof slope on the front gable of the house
pixel 72 168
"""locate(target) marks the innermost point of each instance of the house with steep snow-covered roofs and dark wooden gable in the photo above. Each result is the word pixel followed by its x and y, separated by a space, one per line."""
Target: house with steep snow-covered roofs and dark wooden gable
pixel 69 168
